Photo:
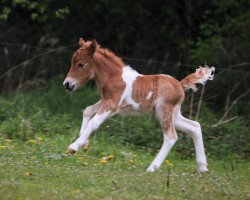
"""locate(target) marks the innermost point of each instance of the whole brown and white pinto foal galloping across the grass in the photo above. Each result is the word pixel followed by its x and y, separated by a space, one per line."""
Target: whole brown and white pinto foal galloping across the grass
pixel 122 90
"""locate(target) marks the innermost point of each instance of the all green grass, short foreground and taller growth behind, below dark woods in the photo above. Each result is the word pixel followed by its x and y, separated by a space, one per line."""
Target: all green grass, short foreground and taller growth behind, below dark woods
pixel 34 169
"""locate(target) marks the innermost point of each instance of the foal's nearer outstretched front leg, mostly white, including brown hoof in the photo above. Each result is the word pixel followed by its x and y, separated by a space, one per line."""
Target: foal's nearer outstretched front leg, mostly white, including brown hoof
pixel 103 113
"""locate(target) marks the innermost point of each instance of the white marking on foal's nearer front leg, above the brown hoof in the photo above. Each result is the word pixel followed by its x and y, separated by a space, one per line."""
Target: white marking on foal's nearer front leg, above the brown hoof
pixel 93 124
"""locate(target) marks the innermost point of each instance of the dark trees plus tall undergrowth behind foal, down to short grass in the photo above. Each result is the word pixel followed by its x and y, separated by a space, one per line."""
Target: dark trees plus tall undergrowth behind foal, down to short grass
pixel 37 40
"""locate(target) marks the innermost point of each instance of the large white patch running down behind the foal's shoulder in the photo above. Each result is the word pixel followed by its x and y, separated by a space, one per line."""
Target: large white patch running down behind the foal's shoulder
pixel 129 76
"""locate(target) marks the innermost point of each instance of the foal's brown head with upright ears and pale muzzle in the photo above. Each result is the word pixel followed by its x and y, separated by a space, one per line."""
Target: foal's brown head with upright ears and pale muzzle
pixel 81 69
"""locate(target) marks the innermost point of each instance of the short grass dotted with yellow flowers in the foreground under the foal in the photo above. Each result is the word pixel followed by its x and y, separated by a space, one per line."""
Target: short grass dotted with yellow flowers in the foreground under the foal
pixel 44 171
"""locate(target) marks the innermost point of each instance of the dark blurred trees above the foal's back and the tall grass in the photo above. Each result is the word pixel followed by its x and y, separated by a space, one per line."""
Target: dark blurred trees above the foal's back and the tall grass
pixel 40 37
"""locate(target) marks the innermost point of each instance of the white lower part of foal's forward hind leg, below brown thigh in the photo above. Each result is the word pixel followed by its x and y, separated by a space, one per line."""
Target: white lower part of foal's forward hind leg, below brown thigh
pixel 167 145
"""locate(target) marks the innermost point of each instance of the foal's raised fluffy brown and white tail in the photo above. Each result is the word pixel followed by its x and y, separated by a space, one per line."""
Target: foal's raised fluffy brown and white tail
pixel 201 75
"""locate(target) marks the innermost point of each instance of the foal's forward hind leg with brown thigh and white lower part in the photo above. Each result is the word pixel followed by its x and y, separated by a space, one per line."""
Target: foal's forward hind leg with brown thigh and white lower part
pixel 164 114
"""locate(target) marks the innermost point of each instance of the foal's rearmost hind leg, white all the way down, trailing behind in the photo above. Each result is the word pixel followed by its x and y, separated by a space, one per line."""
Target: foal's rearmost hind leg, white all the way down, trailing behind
pixel 194 130
